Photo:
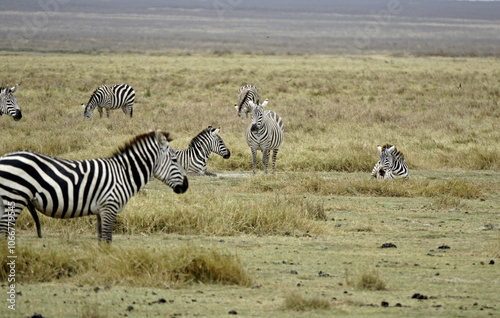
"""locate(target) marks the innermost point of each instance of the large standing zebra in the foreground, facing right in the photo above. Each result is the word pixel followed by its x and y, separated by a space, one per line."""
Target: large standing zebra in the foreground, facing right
pixel 63 188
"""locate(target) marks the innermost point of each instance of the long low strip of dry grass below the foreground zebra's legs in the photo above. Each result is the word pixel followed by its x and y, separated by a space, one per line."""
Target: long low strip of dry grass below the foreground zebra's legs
pixel 110 265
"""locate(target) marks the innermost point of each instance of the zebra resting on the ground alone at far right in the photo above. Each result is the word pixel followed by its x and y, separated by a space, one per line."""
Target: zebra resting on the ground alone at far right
pixel 391 164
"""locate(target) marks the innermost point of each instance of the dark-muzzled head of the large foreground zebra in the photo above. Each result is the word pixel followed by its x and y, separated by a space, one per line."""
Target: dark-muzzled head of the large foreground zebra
pixel 167 169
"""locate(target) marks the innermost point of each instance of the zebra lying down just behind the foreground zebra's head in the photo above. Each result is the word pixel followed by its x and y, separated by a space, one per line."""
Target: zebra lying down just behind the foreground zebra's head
pixel 194 158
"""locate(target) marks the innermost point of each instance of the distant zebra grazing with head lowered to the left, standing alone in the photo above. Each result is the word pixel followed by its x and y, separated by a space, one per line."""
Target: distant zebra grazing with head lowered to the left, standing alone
pixel 110 97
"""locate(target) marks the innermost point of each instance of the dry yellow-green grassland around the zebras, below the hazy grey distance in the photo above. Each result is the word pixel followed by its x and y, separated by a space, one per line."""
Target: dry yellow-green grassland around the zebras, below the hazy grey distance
pixel 306 241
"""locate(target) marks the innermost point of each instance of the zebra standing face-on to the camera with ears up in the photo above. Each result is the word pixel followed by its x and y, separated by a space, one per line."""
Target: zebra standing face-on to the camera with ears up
pixel 265 133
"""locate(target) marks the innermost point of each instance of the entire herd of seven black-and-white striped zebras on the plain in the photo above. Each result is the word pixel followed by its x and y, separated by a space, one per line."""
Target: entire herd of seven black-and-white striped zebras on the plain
pixel 62 188
